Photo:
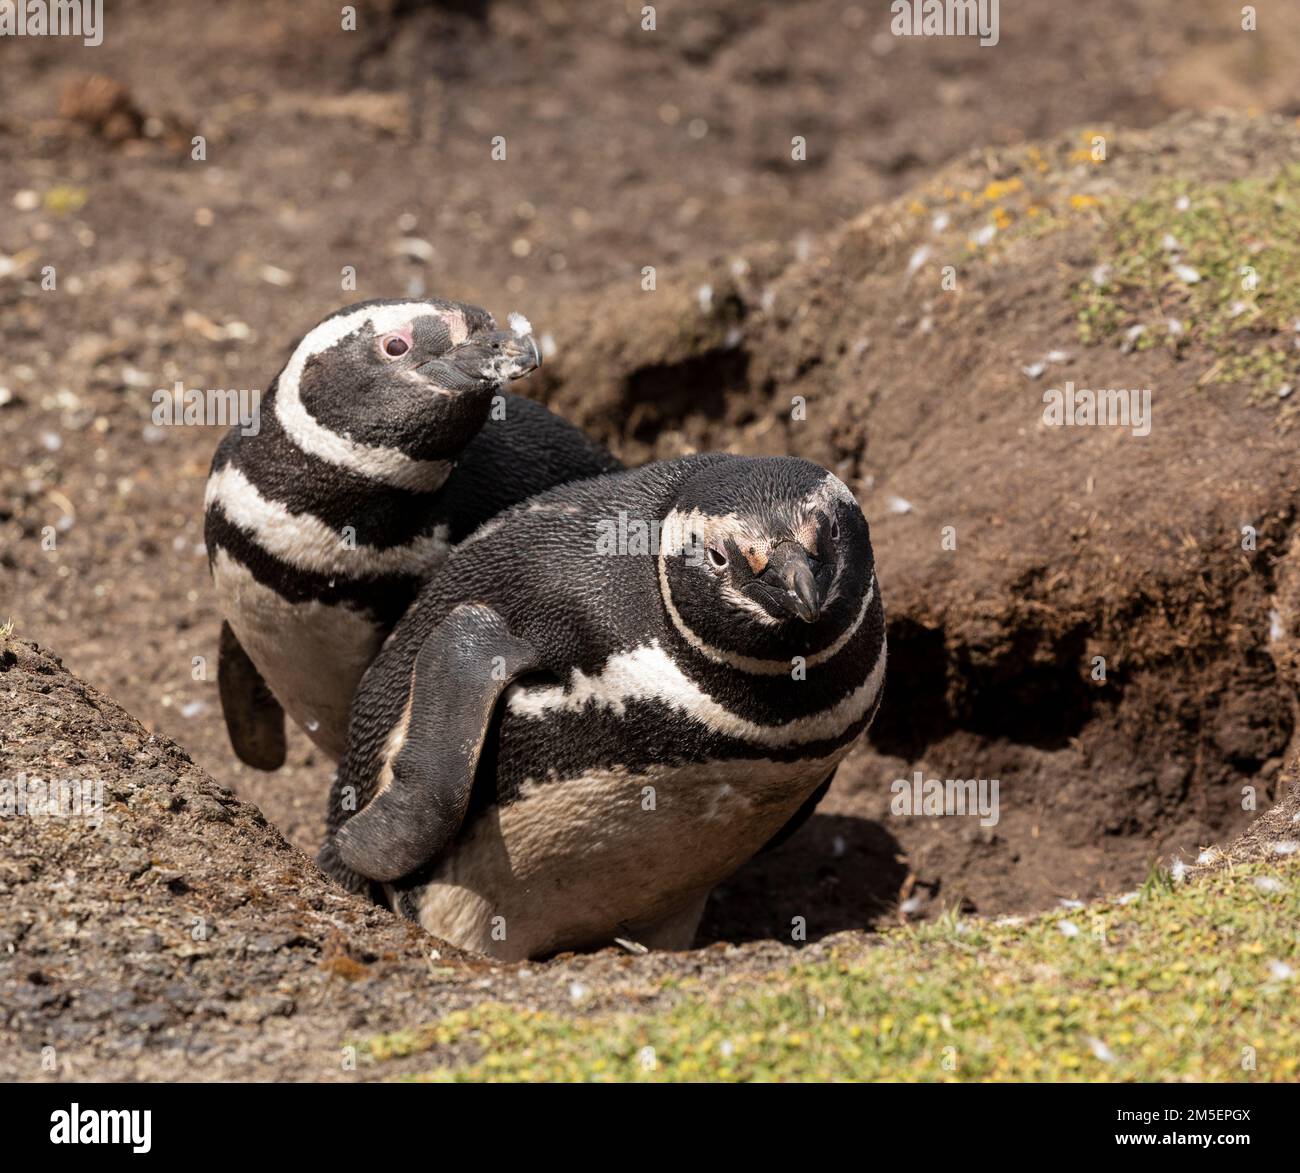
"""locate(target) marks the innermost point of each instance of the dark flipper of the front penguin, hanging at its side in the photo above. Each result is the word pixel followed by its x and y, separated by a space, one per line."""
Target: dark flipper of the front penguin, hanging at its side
pixel 460 674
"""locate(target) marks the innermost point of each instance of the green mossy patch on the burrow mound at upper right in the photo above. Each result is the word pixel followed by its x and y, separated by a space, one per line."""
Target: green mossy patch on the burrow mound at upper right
pixel 1221 262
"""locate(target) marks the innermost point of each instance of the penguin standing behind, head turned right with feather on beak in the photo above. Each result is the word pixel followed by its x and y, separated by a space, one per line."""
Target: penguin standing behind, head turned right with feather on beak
pixel 384 440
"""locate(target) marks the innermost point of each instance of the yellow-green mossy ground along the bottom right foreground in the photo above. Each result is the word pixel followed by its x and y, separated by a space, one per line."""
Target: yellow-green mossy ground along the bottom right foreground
pixel 1182 982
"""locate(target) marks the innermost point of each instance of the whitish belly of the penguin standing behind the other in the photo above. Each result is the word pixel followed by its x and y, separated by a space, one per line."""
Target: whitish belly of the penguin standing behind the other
pixel 311 655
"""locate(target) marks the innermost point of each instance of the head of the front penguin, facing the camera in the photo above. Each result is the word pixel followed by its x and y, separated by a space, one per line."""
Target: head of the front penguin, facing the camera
pixel 765 559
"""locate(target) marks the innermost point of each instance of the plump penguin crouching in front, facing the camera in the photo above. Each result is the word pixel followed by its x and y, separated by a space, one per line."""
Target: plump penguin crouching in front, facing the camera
pixel 608 700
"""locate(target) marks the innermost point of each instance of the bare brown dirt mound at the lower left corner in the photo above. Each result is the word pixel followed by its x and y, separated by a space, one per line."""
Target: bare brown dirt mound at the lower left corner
pixel 174 928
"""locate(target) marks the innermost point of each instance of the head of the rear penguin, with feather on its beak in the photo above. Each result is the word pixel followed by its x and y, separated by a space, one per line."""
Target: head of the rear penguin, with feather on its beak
pixel 410 376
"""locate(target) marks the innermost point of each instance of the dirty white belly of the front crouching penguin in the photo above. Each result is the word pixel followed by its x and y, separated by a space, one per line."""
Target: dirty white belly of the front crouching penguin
pixel 574 864
